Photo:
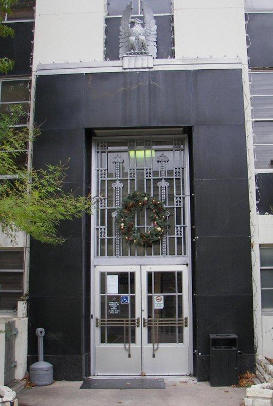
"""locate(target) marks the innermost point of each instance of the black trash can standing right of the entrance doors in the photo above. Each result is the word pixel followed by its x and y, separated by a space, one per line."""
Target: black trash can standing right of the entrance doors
pixel 223 359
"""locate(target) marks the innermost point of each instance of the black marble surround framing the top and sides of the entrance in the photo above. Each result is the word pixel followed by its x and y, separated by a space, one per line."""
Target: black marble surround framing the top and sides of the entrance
pixel 211 102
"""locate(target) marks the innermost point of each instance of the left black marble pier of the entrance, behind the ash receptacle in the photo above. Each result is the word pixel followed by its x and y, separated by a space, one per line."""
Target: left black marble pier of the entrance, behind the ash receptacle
pixel 59 275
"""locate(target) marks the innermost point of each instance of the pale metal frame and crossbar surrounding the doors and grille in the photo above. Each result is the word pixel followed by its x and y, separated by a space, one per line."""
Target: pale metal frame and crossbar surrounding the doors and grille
pixel 95 261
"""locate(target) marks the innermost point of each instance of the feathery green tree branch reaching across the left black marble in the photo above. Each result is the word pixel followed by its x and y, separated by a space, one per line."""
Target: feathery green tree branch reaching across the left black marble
pixel 33 201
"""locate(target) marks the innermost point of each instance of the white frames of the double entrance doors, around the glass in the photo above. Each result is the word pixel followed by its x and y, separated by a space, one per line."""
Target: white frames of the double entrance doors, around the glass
pixel 169 359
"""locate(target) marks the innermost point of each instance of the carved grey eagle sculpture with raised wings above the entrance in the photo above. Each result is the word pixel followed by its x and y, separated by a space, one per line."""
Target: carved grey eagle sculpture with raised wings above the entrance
pixel 137 37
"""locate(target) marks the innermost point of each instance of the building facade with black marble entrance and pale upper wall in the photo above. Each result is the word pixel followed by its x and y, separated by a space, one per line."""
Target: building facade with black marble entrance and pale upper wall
pixel 177 127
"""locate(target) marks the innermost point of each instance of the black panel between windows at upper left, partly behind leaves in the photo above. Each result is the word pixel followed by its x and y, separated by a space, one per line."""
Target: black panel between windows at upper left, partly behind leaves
pixel 19 48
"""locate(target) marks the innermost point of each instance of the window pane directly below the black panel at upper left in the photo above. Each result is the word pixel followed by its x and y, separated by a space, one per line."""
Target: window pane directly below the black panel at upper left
pixel 12 91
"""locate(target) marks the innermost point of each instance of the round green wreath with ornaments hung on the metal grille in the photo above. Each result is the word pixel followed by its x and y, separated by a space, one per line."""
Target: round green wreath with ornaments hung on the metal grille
pixel 137 201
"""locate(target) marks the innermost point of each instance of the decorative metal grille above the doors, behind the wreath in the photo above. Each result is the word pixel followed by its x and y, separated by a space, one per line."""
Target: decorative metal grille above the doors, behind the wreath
pixel 155 165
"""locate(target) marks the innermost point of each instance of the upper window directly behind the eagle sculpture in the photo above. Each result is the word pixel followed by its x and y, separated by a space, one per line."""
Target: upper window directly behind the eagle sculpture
pixel 163 13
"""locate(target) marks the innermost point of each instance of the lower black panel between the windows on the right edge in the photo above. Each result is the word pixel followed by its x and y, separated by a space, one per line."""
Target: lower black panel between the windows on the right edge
pixel 264 193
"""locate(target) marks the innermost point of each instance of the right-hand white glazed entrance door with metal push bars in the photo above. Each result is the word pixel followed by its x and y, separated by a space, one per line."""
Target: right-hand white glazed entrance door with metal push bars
pixel 165 322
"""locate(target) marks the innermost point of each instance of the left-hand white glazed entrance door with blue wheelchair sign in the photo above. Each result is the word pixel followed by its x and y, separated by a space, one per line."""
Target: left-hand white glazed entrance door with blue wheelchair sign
pixel 118 313
